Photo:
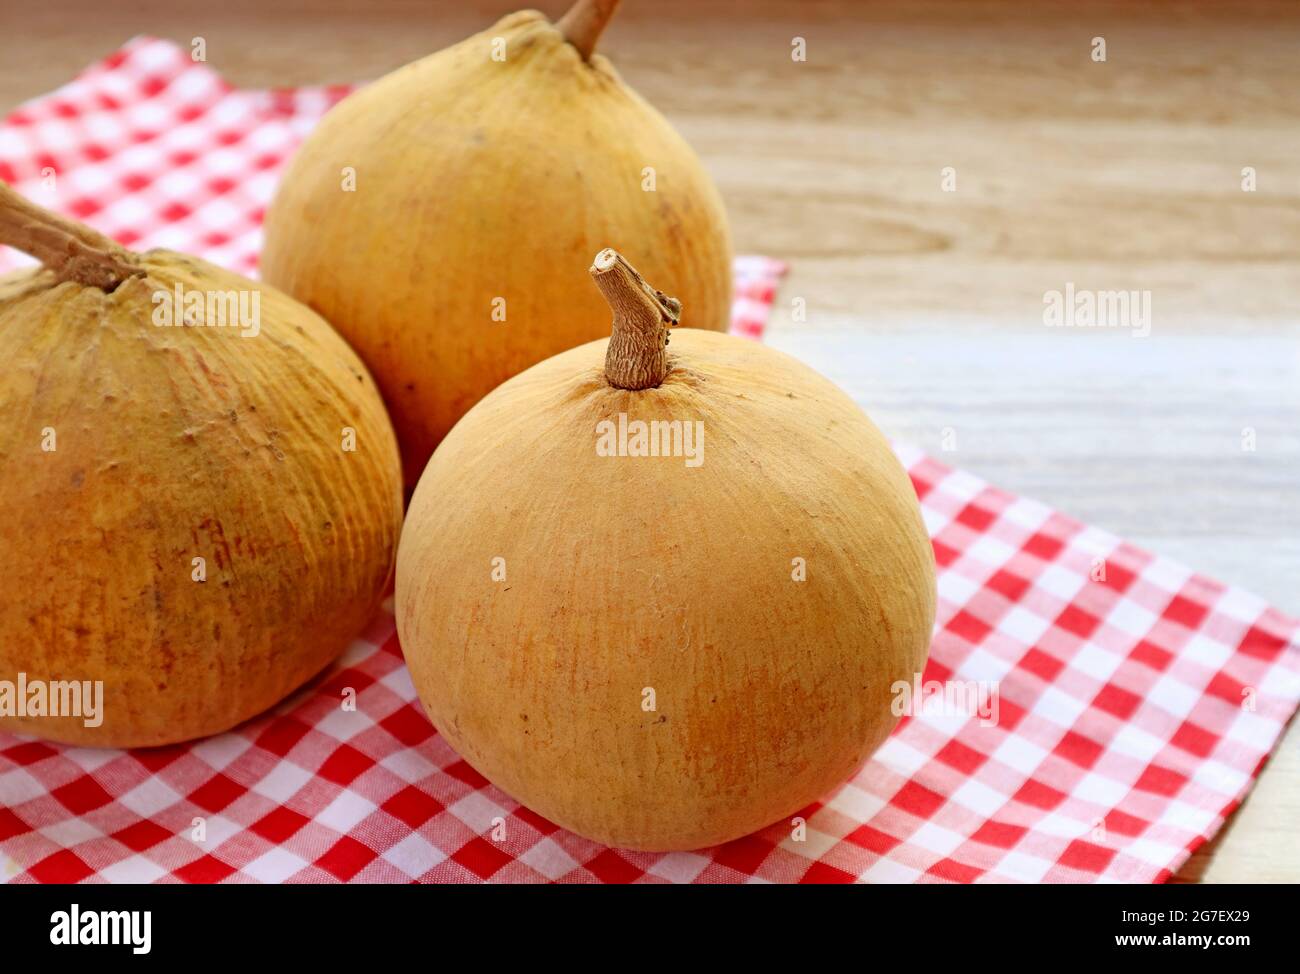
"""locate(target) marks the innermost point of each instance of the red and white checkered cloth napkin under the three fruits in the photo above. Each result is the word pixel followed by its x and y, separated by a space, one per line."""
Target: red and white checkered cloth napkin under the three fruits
pixel 1136 700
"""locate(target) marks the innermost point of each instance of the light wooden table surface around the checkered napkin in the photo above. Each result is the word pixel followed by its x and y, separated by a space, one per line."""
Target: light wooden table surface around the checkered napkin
pixel 929 305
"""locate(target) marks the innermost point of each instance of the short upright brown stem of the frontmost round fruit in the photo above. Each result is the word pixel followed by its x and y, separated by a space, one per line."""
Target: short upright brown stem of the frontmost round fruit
pixel 636 357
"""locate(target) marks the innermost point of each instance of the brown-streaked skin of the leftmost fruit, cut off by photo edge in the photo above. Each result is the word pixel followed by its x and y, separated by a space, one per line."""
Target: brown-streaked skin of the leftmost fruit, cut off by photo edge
pixel 174 444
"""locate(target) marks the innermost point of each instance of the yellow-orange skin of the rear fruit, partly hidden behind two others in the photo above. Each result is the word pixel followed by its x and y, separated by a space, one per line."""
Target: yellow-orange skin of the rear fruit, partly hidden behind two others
pixel 479 180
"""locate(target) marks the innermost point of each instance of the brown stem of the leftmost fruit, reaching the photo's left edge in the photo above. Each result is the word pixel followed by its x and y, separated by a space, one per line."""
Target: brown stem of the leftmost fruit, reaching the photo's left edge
pixel 72 250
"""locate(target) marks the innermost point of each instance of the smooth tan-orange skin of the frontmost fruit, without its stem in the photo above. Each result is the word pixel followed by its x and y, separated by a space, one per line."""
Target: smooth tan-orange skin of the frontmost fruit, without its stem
pixel 632 573
